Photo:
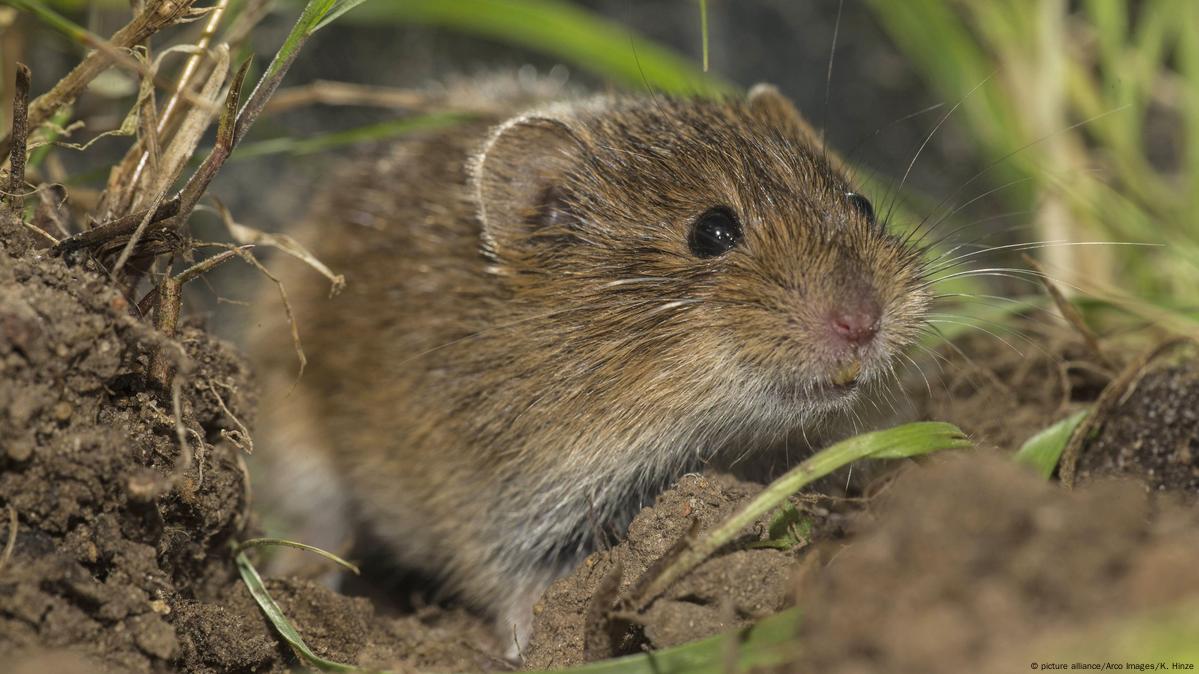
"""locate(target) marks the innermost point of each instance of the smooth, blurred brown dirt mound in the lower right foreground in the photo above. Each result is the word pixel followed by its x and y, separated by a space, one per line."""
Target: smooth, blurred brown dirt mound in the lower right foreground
pixel 959 567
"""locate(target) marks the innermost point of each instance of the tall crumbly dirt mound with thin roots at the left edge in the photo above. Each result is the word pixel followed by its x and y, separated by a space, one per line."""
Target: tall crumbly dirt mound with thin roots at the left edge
pixel 115 529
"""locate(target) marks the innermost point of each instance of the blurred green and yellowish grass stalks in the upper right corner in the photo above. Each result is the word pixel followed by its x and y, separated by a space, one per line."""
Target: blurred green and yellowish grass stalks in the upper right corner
pixel 1090 111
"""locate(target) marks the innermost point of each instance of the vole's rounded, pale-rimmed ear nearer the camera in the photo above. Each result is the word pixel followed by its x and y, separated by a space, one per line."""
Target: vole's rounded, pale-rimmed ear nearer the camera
pixel 519 182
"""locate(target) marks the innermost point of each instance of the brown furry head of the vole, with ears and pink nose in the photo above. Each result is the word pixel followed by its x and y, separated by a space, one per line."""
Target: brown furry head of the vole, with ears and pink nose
pixel 701 251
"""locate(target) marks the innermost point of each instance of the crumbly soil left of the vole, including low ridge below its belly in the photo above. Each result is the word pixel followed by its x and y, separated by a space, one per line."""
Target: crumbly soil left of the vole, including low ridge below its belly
pixel 123 558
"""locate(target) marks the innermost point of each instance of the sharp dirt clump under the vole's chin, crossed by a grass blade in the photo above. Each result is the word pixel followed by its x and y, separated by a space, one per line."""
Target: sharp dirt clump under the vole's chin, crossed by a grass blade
pixel 730 591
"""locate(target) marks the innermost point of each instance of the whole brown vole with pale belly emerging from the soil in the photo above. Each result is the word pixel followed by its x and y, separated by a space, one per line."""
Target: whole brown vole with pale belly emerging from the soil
pixel 553 314
